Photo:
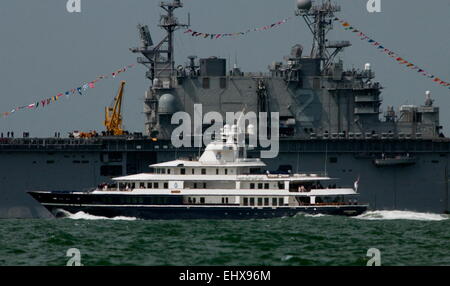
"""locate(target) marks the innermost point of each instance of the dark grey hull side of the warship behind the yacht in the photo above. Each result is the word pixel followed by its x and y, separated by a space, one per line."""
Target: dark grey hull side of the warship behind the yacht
pixel 79 164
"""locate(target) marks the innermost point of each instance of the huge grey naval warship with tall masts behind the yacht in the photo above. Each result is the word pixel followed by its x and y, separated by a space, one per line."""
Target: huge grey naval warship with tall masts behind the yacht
pixel 330 121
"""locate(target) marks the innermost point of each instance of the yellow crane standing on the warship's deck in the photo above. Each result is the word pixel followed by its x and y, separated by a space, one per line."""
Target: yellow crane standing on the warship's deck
pixel 113 114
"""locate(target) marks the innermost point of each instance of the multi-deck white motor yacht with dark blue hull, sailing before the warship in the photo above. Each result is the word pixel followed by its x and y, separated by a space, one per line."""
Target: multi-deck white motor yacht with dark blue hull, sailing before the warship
pixel 220 185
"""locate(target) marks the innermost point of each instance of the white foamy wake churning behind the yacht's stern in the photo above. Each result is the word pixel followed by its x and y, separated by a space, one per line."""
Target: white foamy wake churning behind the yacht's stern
pixel 405 215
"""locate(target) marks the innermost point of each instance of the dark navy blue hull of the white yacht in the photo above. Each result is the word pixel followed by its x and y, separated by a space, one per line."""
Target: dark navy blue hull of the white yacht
pixel 58 203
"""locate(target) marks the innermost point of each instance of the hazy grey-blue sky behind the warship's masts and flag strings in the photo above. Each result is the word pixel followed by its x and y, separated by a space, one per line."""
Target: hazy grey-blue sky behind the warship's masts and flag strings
pixel 45 50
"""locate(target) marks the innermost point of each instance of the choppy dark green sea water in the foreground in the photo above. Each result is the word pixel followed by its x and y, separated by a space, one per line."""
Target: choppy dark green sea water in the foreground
pixel 404 238
